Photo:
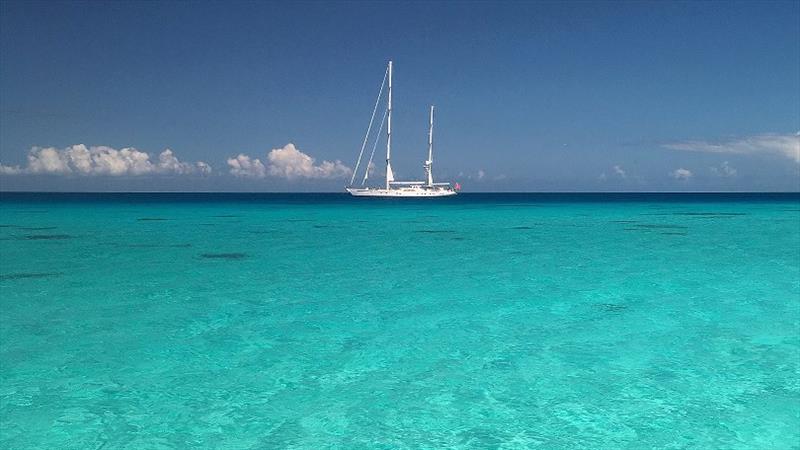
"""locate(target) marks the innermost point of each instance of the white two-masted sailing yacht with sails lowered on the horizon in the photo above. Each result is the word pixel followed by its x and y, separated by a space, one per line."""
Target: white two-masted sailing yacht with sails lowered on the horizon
pixel 392 188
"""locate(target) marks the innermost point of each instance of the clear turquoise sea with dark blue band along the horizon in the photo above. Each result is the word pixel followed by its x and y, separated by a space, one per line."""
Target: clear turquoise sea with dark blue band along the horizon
pixel 320 321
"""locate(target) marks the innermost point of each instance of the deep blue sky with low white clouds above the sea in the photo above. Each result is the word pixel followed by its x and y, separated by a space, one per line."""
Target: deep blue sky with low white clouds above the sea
pixel 276 96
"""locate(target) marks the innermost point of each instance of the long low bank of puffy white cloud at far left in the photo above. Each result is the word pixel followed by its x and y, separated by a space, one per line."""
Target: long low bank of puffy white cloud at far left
pixel 101 160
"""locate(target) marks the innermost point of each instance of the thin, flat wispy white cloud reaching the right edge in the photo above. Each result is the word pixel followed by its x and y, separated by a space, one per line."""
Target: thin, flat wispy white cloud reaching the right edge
pixel 787 145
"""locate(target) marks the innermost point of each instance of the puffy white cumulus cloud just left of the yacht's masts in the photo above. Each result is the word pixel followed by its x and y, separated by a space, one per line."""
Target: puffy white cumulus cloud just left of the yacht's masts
pixel 287 162
